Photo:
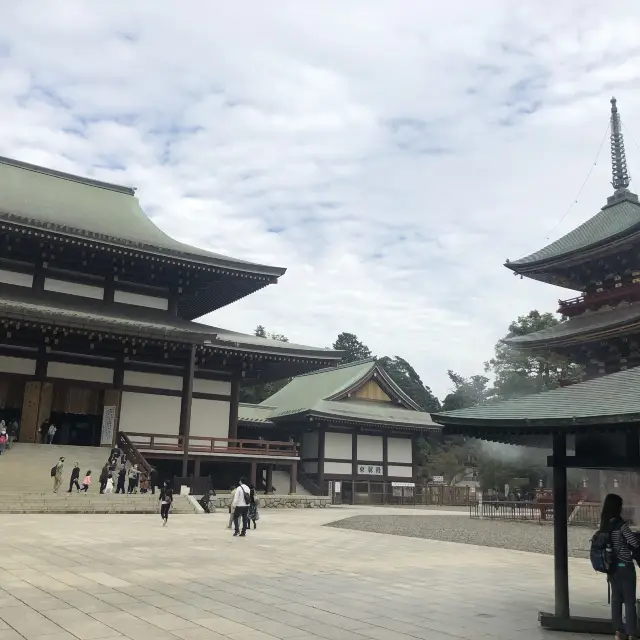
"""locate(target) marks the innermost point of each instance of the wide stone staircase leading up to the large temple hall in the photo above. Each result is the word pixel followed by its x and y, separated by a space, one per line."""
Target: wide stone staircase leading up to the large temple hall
pixel 26 485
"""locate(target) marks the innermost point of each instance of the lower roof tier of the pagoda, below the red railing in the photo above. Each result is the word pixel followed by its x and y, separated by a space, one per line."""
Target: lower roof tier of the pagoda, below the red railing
pixel 590 325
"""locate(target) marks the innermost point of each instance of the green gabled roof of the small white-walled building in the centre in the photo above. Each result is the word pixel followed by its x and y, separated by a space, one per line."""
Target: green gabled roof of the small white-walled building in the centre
pixel 325 395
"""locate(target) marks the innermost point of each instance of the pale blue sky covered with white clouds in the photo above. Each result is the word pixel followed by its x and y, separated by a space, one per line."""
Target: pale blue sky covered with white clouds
pixel 391 155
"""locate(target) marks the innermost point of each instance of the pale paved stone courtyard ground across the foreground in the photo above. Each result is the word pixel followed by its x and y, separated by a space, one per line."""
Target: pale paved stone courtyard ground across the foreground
pixel 65 577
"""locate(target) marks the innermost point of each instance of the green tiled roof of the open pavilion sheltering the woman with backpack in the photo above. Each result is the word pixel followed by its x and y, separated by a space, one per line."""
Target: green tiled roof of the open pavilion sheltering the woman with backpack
pixel 609 399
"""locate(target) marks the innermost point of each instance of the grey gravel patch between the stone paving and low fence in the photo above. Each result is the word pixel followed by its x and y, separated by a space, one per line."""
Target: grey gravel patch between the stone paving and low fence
pixel 504 534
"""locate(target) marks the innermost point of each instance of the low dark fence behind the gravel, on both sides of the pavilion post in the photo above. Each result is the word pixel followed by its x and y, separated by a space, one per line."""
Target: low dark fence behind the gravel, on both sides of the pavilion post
pixel 579 514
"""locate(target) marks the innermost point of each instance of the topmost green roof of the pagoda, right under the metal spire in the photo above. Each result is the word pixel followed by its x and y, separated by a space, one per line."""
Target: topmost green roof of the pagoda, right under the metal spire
pixel 612 221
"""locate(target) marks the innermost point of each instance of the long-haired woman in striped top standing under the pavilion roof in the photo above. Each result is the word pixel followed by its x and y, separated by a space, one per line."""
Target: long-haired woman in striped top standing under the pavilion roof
pixel 622 573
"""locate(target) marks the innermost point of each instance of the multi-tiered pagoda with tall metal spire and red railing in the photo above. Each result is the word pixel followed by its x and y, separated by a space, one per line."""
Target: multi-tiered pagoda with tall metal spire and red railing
pixel 599 259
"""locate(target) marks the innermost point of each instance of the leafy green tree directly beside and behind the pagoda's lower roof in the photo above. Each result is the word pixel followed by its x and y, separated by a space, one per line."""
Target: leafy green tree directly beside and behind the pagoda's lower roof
pixel 517 373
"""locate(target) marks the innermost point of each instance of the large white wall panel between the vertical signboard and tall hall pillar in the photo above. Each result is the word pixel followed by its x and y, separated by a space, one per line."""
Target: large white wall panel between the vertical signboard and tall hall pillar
pixel 147 413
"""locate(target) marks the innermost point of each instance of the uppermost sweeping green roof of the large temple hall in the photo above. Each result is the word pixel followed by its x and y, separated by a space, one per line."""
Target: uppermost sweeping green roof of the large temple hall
pixel 43 198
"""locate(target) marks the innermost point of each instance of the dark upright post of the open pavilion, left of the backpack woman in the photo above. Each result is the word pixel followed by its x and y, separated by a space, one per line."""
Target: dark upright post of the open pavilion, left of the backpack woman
pixel 560 543
